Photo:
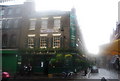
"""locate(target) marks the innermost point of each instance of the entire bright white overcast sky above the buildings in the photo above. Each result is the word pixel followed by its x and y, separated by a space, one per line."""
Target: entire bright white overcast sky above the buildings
pixel 96 18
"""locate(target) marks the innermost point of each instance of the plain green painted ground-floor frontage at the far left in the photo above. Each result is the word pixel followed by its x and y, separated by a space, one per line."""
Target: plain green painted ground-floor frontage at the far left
pixel 9 61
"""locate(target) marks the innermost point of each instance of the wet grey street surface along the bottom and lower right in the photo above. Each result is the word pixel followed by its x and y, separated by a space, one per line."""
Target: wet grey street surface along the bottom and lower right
pixel 110 75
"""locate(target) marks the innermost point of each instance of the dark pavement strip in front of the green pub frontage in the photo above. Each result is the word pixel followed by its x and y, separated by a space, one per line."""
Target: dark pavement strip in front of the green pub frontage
pixel 79 75
